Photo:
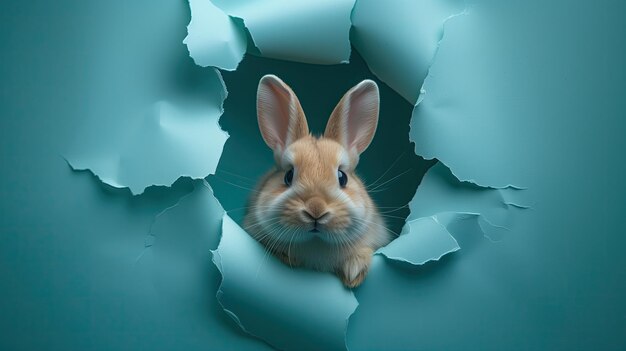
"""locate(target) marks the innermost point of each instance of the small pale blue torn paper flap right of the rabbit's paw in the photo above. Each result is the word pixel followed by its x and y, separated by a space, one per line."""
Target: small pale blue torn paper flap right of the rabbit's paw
pixel 426 240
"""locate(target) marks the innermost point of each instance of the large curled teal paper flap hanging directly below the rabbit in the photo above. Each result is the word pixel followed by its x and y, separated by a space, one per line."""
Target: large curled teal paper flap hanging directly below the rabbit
pixel 290 308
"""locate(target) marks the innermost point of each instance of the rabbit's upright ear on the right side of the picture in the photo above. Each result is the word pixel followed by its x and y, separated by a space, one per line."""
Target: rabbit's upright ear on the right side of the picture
pixel 354 120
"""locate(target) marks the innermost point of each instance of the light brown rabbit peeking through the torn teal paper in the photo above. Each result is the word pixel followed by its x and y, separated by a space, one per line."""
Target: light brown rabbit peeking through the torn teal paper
pixel 312 210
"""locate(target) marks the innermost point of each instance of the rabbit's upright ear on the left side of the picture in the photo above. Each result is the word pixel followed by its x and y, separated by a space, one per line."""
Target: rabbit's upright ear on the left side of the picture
pixel 280 116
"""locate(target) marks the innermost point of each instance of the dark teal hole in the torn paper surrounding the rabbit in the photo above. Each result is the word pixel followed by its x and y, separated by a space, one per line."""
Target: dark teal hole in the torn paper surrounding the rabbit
pixel 389 163
